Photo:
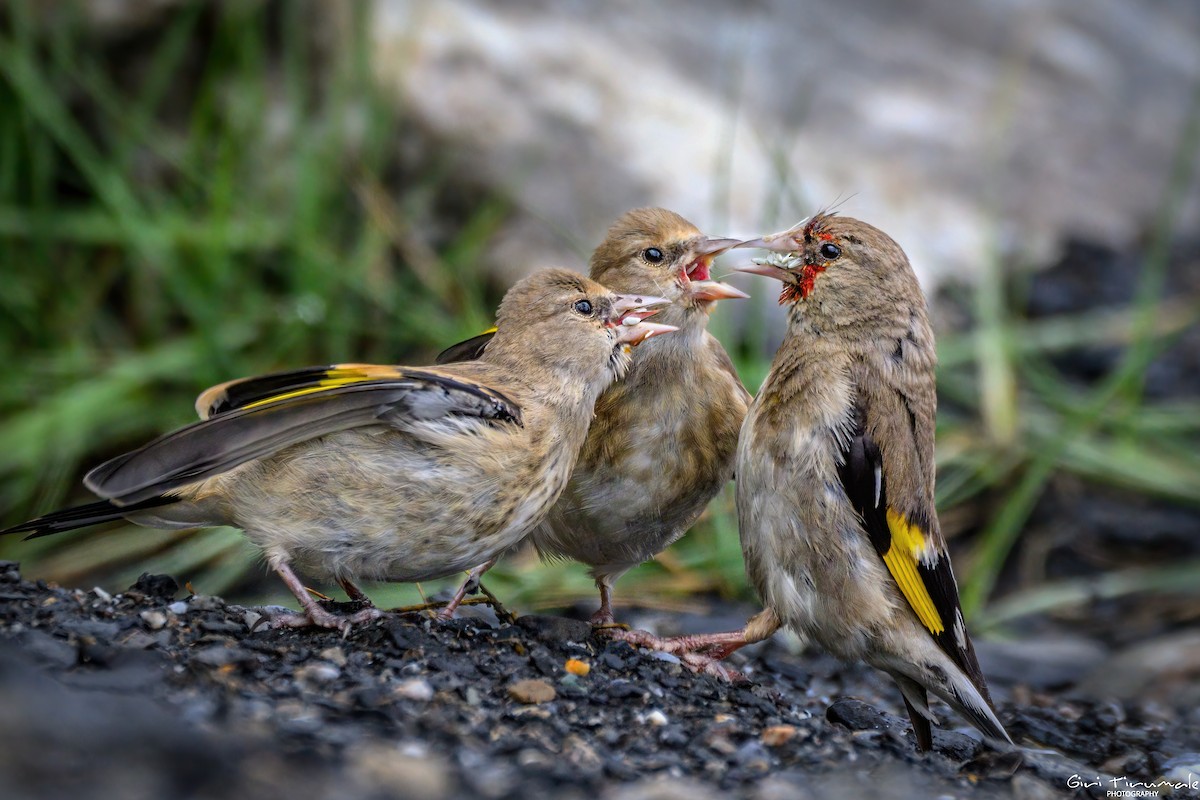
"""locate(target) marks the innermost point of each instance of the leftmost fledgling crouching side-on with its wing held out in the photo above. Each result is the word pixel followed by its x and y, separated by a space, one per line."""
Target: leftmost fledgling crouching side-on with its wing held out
pixel 391 473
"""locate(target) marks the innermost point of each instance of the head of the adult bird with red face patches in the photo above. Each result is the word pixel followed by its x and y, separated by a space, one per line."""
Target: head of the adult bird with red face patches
pixel 835 262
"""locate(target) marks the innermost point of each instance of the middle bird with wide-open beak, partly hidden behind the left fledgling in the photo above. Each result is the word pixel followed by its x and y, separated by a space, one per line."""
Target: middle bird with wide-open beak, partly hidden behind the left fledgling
pixel 663 441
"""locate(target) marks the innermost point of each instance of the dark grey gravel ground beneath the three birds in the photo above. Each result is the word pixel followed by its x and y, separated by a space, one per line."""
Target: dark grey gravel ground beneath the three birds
pixel 143 695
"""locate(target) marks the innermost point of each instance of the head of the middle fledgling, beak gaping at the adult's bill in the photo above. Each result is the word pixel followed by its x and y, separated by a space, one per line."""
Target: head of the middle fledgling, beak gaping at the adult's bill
pixel 659 252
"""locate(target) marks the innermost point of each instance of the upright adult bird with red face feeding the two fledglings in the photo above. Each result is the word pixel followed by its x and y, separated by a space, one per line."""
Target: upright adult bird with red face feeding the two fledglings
pixel 836 477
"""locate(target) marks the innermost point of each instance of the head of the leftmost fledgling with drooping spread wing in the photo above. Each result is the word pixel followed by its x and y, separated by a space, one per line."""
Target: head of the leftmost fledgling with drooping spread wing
pixel 566 322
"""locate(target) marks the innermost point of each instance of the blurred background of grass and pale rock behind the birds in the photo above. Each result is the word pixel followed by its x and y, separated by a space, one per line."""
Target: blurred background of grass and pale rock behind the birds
pixel 197 191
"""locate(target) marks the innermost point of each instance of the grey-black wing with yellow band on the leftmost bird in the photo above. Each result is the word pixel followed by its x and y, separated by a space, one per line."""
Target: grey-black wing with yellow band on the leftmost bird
pixel 259 417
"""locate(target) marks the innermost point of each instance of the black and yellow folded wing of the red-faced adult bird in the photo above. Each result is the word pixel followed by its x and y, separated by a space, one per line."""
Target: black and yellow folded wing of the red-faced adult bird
pixel 910 548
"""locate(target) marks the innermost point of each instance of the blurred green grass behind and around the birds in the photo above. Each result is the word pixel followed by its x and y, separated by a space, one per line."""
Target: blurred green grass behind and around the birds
pixel 230 197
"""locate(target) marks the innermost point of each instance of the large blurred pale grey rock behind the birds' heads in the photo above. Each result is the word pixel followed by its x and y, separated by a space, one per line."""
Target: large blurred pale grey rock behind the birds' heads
pixel 1041 94
